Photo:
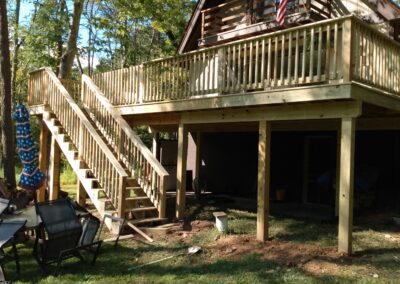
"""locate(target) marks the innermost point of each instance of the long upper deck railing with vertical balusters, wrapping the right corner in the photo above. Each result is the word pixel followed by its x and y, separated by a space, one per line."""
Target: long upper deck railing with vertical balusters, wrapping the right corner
pixel 330 51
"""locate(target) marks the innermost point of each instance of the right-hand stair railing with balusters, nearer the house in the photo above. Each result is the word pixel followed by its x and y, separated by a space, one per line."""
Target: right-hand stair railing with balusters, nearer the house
pixel 130 149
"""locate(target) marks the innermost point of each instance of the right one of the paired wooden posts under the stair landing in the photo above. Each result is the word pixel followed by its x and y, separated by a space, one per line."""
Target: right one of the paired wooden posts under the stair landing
pixel 54 169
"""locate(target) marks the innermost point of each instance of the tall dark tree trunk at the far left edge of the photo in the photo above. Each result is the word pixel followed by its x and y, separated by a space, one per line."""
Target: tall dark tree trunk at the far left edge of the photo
pixel 6 96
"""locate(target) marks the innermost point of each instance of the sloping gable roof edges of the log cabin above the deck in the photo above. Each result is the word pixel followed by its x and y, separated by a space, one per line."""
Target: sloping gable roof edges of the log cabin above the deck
pixel 387 9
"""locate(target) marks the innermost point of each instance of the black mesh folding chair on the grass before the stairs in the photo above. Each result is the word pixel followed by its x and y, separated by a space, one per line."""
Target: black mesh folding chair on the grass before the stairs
pixel 61 234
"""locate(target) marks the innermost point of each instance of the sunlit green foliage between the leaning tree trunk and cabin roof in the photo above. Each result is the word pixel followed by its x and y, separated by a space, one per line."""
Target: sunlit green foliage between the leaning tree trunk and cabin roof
pixel 136 31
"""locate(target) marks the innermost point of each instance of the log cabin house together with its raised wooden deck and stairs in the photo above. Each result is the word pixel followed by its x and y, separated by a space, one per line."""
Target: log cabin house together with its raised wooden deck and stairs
pixel 261 102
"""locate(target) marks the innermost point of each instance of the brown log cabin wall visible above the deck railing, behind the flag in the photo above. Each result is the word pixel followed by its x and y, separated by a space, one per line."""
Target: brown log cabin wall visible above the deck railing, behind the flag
pixel 236 15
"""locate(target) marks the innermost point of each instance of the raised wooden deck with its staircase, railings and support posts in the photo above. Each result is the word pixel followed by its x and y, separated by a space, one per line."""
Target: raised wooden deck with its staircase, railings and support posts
pixel 341 73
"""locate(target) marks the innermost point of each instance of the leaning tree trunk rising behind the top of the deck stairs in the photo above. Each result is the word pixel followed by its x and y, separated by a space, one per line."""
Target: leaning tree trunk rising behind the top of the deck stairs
pixel 67 58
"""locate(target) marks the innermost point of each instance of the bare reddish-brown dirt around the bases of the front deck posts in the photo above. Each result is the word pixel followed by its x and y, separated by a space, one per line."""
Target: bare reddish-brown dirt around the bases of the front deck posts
pixel 314 259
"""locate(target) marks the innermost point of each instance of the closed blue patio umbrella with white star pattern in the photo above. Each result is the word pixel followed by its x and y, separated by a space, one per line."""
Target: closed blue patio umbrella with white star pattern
pixel 31 177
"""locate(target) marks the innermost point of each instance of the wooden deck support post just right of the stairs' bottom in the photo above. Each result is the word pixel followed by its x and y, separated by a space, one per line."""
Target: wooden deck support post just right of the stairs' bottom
pixel 181 170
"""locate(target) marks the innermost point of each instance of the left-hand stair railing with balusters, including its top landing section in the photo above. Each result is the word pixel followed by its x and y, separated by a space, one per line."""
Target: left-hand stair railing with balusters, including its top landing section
pixel 45 88
